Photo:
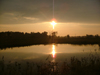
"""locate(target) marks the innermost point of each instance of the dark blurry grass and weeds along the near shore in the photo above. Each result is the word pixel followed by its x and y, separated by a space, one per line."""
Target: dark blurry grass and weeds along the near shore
pixel 84 66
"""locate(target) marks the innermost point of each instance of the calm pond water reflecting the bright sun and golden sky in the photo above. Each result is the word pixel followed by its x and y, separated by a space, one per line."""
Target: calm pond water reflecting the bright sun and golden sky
pixel 57 52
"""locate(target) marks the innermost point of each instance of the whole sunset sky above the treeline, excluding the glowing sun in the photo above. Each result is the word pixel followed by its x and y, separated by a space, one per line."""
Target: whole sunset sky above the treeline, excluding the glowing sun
pixel 73 17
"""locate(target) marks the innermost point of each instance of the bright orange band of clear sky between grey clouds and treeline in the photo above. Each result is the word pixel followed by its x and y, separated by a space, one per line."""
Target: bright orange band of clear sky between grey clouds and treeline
pixel 63 29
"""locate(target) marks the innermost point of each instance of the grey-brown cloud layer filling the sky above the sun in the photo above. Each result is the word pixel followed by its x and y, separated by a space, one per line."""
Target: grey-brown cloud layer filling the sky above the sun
pixel 24 11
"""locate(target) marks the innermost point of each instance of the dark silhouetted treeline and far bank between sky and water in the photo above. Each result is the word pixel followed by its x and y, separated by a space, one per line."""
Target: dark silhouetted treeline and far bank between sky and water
pixel 16 39
